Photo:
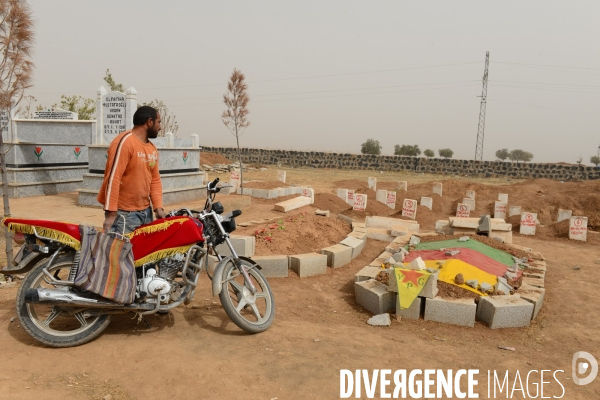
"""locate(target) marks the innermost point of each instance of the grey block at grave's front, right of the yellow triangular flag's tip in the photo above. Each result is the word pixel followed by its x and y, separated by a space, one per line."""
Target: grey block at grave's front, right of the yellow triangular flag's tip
pixel 451 311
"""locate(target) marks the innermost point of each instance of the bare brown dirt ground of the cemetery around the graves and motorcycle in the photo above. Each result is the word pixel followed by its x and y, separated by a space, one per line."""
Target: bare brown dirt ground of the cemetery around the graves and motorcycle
pixel 197 352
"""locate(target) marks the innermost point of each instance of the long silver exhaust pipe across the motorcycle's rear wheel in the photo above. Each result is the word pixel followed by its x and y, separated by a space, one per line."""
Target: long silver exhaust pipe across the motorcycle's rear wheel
pixel 70 299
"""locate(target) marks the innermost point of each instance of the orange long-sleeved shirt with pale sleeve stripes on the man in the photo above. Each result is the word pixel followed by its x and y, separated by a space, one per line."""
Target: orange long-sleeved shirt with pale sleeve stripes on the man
pixel 131 178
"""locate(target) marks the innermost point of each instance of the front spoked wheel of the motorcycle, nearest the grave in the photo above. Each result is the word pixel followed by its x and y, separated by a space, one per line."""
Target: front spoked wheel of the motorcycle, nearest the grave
pixel 253 313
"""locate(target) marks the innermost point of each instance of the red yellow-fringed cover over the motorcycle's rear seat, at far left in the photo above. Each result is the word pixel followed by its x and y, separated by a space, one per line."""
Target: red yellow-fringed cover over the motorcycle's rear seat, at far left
pixel 63 232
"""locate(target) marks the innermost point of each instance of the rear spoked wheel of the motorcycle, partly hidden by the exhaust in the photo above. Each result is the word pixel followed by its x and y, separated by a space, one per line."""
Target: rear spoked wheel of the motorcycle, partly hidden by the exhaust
pixel 54 325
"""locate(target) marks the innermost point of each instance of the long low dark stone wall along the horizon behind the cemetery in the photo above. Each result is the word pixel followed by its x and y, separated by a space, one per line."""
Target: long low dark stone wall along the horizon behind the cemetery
pixel 315 159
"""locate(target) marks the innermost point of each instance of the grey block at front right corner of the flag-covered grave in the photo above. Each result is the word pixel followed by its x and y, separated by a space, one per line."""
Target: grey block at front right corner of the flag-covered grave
pixel 504 311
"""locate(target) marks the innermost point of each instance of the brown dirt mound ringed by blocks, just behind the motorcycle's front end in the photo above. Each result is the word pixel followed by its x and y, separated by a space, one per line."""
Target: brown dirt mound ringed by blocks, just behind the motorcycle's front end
pixel 296 234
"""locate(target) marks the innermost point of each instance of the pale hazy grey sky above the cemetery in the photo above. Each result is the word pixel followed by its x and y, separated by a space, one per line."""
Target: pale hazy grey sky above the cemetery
pixel 327 75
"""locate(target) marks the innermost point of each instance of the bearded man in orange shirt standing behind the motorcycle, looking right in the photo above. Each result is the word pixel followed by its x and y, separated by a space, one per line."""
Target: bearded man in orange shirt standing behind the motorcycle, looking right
pixel 131 177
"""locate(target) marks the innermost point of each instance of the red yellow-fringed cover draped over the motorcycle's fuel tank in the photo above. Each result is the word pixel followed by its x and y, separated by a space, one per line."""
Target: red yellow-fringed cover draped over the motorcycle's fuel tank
pixel 164 238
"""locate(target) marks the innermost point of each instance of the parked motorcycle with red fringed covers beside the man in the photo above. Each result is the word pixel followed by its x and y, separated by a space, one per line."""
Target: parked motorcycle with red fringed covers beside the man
pixel 57 313
